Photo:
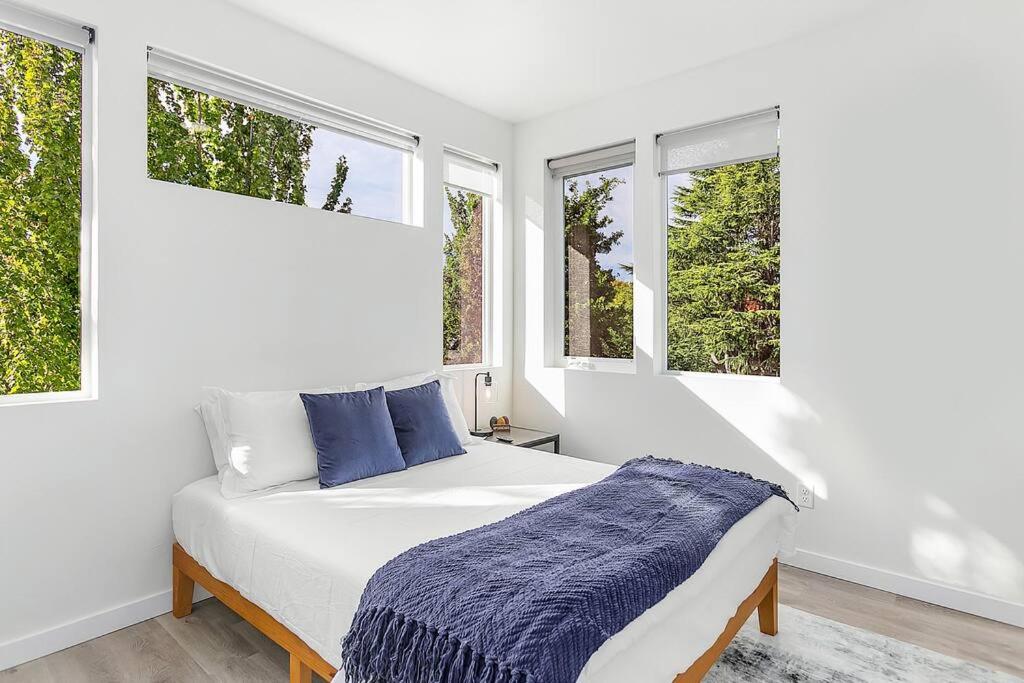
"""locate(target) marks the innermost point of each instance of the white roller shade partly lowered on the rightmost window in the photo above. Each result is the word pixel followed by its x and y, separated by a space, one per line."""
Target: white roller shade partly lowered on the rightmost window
pixel 744 139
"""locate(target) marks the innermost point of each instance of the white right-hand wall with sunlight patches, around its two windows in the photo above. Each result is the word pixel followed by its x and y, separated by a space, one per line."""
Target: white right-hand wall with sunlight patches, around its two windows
pixel 901 397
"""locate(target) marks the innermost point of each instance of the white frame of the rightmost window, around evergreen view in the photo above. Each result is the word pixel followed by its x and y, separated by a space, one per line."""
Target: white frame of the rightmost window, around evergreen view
pixel 662 261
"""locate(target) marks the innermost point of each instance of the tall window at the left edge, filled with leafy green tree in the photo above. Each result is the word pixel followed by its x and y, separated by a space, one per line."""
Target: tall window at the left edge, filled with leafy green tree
pixel 46 207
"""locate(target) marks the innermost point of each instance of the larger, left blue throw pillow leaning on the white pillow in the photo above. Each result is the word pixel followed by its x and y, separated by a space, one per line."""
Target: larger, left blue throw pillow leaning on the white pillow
pixel 354 436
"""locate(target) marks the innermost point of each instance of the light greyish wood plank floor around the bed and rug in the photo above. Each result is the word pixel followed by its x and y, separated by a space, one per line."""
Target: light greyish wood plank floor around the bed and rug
pixel 215 645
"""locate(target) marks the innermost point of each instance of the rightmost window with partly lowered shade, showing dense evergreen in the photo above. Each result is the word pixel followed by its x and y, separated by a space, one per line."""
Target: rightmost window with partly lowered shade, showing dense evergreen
pixel 722 216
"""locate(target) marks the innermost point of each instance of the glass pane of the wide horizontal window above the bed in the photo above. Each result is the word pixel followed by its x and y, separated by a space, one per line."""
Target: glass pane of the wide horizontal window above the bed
pixel 206 142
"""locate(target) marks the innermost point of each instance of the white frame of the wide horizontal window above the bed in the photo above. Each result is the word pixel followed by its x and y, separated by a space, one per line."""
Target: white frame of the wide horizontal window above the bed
pixel 177 69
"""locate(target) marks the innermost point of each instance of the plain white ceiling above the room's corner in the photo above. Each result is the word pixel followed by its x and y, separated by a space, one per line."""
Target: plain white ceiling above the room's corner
pixel 519 60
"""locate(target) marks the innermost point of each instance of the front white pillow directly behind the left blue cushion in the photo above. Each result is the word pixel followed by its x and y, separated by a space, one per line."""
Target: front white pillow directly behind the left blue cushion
pixel 260 439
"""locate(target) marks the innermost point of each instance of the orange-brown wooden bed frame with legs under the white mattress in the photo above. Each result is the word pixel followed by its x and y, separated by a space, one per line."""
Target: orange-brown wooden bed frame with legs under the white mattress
pixel 305 662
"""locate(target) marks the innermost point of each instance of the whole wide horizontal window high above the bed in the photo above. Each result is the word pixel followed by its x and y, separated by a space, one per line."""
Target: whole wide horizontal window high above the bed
pixel 211 130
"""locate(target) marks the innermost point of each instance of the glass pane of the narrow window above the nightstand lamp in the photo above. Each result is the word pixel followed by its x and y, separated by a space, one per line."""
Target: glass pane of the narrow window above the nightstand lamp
pixel 466 215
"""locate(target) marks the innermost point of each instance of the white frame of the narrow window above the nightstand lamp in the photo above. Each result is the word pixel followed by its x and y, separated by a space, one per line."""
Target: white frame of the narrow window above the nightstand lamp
pixel 488 260
